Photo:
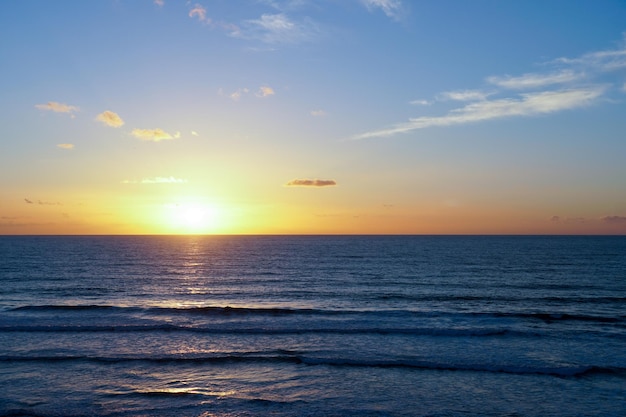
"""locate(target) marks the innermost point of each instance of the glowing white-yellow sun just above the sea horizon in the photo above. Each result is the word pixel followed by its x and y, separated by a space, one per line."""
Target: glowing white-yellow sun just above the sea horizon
pixel 192 218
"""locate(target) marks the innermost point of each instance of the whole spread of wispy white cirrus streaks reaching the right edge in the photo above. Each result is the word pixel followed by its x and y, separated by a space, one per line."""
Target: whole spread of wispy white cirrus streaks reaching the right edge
pixel 549 92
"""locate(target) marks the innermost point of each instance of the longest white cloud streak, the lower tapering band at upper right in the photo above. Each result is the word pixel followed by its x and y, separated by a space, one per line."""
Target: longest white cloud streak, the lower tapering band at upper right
pixel 526 105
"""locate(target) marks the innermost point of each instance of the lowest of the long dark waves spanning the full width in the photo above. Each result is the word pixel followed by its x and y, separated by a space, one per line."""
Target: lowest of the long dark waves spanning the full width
pixel 295 359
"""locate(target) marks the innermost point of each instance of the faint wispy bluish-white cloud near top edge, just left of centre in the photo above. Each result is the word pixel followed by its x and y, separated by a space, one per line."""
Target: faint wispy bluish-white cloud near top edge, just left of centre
pixel 277 29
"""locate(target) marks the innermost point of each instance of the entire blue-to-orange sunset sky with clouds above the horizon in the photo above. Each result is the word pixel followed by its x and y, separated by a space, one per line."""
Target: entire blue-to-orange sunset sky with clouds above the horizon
pixel 312 117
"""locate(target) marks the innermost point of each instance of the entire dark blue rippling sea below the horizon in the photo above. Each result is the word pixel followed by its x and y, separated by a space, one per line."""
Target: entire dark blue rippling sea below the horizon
pixel 313 326
